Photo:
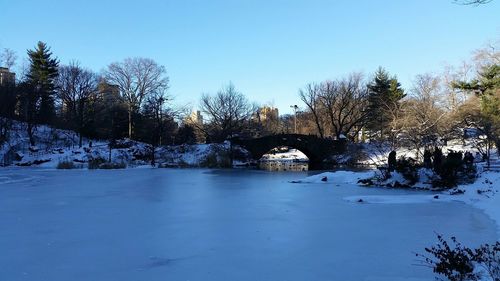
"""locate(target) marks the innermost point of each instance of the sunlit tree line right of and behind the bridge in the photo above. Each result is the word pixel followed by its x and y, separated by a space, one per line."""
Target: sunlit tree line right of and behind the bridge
pixel 454 105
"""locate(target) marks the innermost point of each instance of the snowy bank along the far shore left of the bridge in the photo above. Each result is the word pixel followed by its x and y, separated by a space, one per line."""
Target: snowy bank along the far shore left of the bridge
pixel 54 146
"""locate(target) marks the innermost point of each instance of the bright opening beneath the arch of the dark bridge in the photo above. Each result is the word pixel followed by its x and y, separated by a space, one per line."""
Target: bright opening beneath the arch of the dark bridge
pixel 284 158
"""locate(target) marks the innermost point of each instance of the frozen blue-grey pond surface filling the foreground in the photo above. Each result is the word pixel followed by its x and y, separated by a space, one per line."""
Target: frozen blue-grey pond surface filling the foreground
pixel 189 224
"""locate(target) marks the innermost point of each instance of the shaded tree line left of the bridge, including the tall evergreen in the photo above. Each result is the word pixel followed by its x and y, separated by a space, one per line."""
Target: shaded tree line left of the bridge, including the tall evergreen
pixel 128 99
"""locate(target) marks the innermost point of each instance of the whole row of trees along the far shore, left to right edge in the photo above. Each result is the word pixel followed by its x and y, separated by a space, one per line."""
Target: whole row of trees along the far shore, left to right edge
pixel 130 99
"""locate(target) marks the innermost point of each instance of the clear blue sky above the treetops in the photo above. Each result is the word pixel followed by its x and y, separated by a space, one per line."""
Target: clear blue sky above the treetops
pixel 268 49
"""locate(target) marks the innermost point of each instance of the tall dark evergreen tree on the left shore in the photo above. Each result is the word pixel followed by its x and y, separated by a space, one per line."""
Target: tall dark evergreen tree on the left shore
pixel 41 75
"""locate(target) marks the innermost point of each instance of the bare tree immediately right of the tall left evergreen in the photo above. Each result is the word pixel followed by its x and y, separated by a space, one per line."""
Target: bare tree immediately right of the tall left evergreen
pixel 75 87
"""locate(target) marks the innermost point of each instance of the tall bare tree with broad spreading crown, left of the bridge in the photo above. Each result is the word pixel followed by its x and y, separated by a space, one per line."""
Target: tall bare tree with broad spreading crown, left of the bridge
pixel 137 79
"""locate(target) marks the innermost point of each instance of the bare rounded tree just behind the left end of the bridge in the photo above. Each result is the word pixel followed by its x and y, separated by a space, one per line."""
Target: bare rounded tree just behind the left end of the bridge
pixel 228 112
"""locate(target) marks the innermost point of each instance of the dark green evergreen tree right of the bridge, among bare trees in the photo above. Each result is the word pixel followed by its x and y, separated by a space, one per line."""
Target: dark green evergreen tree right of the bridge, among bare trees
pixel 384 95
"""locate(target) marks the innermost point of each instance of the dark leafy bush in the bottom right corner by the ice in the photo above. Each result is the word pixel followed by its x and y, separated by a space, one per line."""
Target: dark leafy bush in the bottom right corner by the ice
pixel 458 263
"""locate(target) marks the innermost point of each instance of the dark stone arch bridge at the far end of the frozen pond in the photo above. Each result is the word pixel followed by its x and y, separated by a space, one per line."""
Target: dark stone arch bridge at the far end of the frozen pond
pixel 318 150
